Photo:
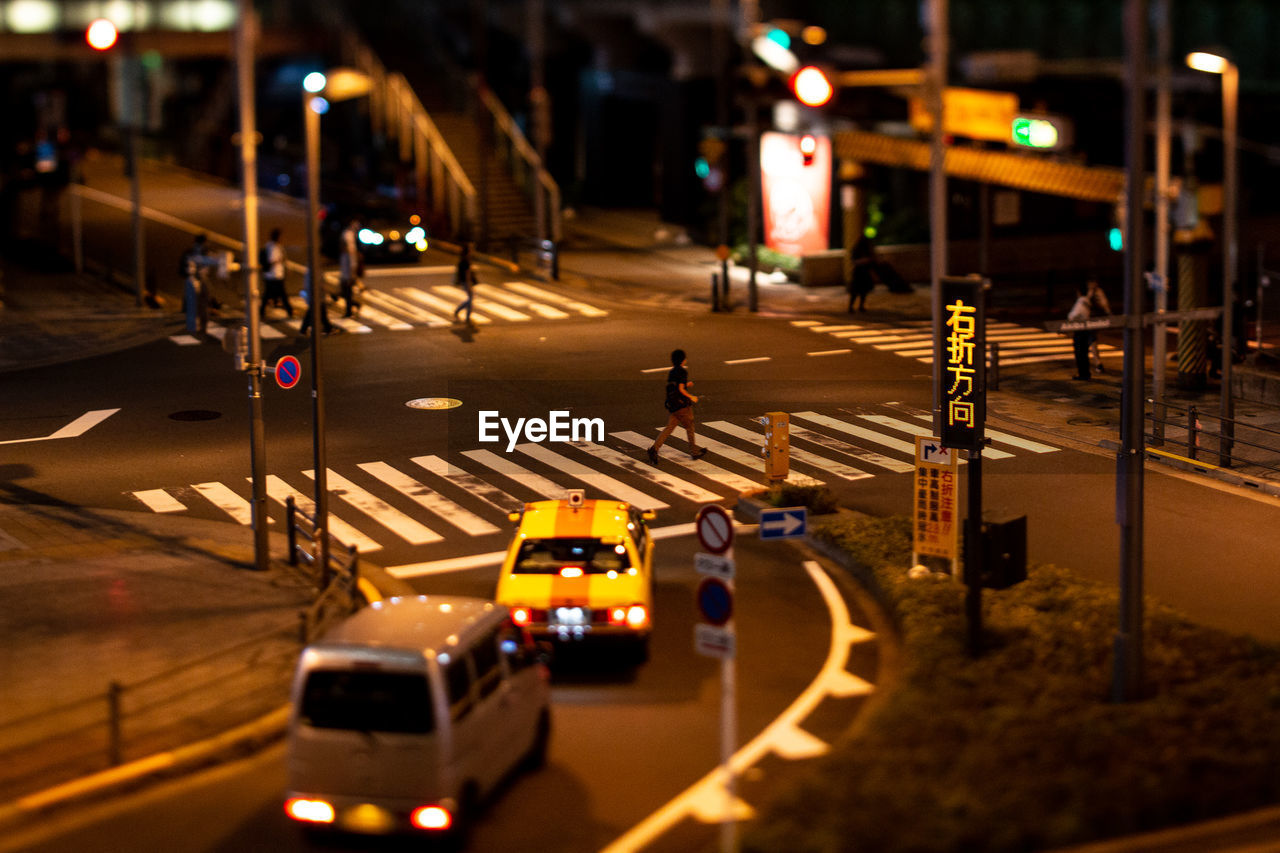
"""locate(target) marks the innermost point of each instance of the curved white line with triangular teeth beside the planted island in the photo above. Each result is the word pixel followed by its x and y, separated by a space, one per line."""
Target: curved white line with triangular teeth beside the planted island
pixel 778 737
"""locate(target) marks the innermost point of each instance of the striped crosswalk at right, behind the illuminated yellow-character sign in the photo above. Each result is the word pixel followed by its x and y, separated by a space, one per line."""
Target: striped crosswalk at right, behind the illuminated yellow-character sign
pixel 915 340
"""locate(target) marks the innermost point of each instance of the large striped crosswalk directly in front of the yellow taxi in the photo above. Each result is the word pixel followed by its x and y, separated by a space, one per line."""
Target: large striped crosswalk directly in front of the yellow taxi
pixel 428 500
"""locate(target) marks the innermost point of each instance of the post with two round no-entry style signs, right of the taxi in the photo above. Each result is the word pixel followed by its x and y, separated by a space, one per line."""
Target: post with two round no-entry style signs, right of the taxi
pixel 716 638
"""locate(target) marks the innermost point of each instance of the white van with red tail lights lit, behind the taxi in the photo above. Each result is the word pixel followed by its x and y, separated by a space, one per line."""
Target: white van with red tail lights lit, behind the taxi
pixel 408 714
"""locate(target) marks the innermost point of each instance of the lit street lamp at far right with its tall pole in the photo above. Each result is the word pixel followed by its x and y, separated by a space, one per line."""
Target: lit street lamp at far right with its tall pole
pixel 1220 65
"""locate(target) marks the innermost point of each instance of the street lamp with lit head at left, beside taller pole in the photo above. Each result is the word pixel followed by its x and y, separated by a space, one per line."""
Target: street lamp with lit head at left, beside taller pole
pixel 319 92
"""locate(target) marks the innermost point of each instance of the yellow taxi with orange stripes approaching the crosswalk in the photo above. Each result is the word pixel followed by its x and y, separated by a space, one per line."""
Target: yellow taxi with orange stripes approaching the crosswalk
pixel 582 571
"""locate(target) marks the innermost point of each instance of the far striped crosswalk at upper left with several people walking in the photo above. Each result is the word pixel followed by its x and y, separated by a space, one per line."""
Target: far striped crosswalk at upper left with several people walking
pixel 431 307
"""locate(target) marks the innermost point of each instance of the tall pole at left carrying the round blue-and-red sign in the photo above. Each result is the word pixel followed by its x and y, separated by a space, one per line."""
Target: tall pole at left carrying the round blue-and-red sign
pixel 246 35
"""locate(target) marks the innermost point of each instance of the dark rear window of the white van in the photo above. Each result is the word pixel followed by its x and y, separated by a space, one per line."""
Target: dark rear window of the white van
pixel 359 701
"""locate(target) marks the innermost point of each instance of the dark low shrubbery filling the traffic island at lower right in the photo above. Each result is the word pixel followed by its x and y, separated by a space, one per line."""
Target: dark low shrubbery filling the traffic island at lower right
pixel 1021 750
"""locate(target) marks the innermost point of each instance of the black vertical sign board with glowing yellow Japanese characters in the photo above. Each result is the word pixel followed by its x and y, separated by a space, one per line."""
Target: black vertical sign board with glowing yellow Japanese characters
pixel 962 353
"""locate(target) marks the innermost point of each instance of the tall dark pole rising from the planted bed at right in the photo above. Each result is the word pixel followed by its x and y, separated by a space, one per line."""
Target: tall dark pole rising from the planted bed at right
pixel 1130 460
